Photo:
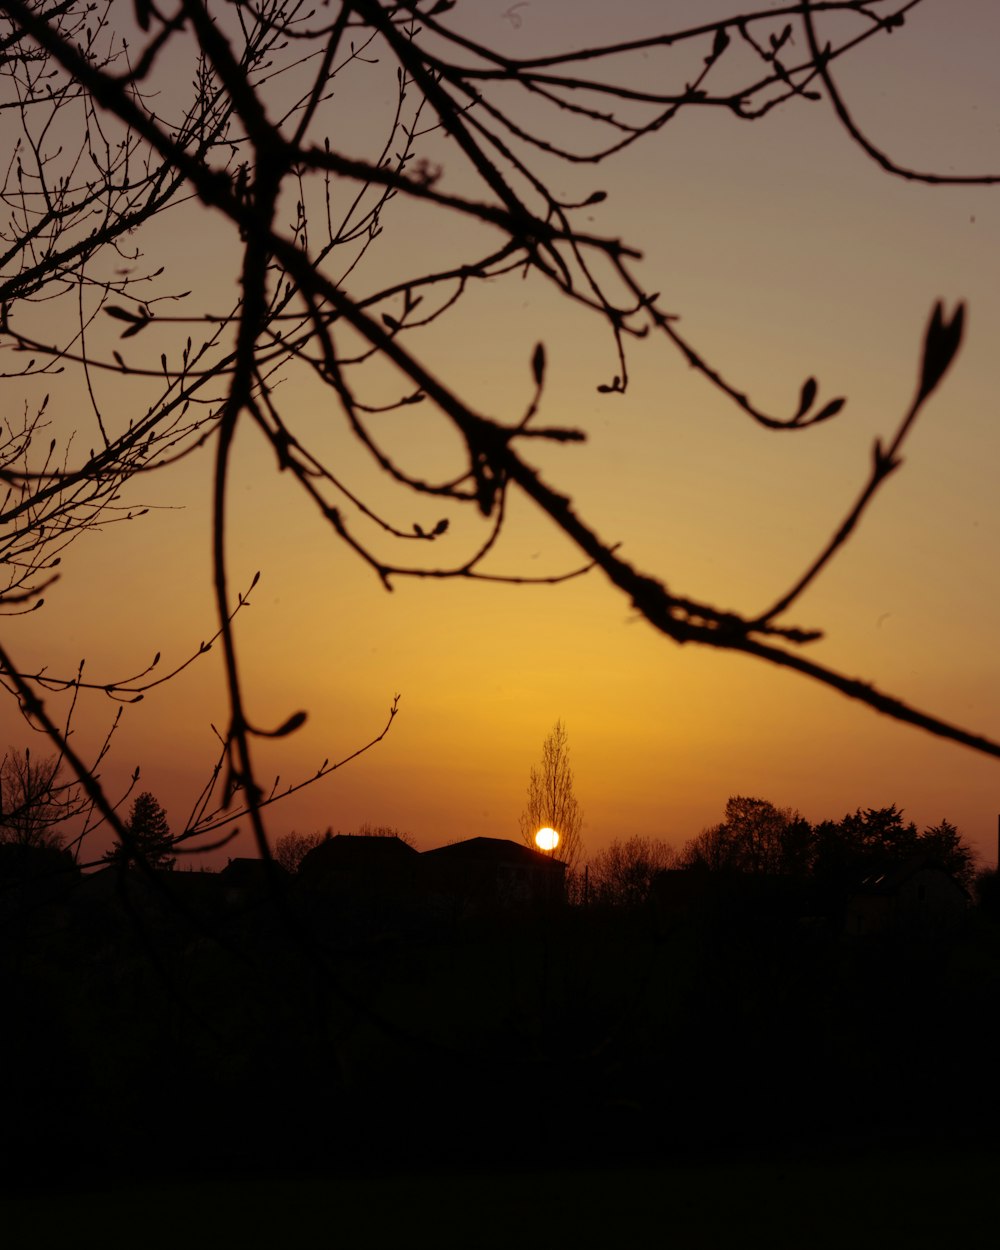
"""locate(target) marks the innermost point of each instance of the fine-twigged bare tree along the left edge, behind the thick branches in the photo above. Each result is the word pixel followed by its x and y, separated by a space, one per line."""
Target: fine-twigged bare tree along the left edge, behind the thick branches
pixel 81 192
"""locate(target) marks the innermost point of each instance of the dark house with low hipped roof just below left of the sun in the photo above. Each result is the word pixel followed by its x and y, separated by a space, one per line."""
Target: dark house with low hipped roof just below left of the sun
pixel 487 873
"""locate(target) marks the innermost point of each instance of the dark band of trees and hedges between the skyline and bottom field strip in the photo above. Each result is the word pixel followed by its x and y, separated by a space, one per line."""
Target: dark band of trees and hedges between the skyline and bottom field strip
pixel 166 1022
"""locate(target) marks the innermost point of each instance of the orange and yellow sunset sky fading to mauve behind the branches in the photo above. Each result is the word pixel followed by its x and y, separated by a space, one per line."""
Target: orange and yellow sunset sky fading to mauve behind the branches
pixel 787 253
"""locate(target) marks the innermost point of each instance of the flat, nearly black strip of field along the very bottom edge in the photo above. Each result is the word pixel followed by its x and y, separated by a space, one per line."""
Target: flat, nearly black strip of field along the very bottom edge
pixel 878 1201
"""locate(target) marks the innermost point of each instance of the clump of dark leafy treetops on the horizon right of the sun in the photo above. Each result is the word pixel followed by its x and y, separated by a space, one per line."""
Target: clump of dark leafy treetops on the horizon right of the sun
pixel 758 838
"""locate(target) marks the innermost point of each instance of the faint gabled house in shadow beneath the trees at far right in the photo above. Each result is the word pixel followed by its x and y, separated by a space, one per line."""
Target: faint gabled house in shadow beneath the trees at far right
pixel 916 892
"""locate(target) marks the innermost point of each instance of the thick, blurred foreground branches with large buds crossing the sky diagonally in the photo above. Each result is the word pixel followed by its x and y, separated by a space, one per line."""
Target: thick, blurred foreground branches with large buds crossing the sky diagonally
pixel 254 147
